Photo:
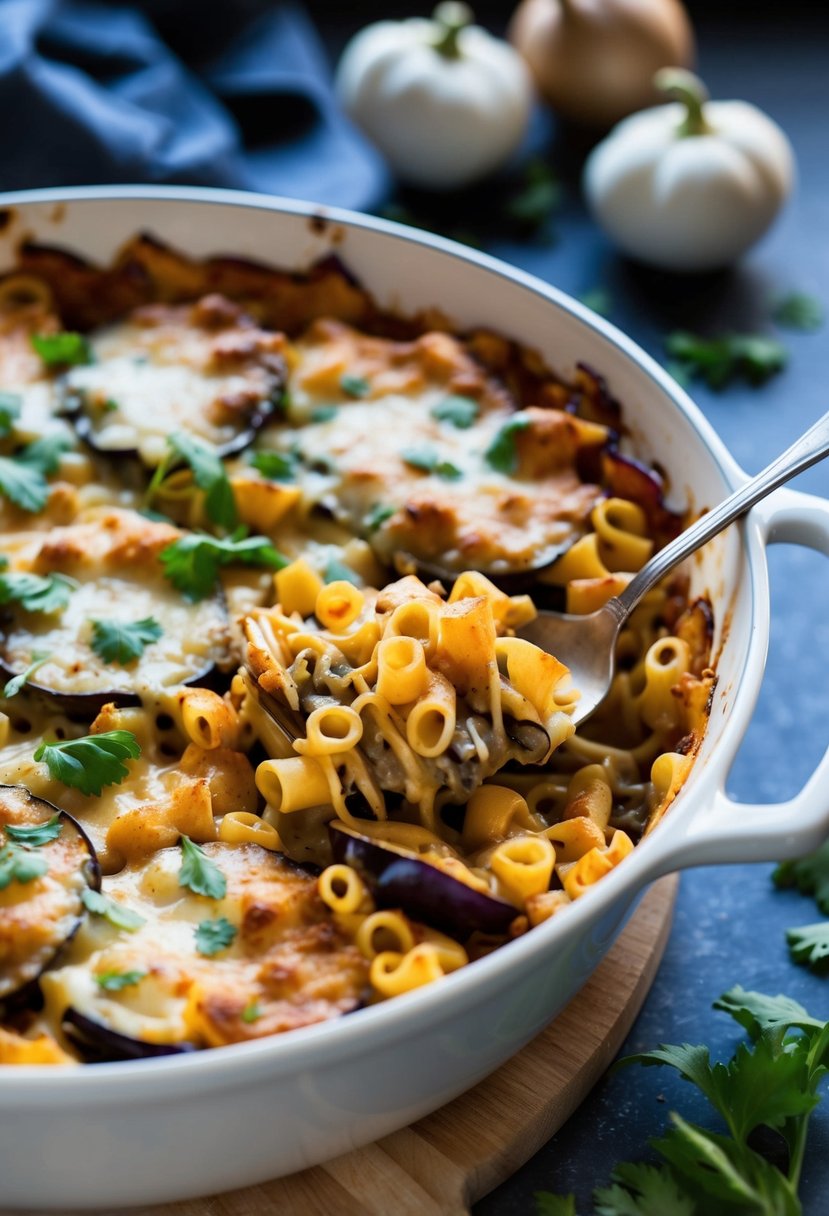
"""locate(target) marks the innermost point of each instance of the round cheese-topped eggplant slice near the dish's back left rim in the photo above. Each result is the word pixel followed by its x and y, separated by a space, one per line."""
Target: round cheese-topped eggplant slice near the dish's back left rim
pixel 205 369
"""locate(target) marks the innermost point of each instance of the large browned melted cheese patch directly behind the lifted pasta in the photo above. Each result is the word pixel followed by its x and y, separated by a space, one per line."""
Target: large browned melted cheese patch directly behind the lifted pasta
pixel 358 455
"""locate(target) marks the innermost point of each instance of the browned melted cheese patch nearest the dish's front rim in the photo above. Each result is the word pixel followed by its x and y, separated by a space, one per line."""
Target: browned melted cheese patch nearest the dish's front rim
pixel 287 962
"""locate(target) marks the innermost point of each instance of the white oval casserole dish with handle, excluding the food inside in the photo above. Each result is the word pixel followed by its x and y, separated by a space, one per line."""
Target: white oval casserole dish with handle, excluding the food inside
pixel 161 1130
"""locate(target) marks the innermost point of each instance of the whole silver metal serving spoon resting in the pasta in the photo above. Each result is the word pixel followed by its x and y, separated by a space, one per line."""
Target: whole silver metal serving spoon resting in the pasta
pixel 588 644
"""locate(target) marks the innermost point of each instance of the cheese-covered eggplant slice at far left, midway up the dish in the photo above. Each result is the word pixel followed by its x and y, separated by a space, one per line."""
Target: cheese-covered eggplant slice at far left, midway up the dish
pixel 116 579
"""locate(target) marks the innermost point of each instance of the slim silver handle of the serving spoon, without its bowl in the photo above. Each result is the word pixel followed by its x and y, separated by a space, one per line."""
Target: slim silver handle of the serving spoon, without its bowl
pixel 805 452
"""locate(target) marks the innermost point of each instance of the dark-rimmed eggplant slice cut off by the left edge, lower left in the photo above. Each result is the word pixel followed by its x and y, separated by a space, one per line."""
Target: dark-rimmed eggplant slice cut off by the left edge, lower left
pixel 42 900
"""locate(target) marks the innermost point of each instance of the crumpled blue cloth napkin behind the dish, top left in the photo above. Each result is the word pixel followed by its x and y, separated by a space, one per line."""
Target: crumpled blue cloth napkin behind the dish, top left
pixel 225 93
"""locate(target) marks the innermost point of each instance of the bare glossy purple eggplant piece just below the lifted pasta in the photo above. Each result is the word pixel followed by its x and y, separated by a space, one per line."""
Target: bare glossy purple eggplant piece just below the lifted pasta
pixel 424 892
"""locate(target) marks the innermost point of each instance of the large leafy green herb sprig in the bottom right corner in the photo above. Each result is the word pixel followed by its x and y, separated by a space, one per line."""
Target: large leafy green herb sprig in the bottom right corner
pixel 770 1083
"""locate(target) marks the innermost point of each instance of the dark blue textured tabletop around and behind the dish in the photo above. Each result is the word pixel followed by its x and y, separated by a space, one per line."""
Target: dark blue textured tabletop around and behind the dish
pixel 730 922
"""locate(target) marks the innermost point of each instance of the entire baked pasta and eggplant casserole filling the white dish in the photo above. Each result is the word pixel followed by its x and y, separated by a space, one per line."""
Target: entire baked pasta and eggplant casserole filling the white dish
pixel 273 746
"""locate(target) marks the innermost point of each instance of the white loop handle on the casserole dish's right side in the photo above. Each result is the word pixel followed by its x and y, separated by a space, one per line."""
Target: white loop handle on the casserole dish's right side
pixel 743 832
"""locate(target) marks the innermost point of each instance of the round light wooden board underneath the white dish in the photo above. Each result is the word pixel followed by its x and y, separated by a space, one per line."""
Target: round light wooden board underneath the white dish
pixel 454 1157
